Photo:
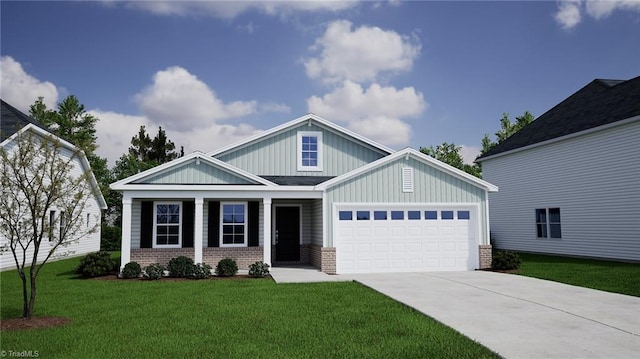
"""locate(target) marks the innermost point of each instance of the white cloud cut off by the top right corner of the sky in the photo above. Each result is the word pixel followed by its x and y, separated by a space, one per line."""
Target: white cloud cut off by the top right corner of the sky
pixel 570 12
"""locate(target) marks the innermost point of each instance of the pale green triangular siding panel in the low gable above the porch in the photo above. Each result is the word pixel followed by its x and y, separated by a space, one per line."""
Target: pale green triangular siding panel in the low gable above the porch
pixel 193 172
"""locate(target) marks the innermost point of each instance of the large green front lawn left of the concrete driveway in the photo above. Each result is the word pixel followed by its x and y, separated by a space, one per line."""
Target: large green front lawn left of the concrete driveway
pixel 223 319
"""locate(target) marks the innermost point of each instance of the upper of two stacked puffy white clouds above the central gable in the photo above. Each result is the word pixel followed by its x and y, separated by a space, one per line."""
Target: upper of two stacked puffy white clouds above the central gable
pixel 360 55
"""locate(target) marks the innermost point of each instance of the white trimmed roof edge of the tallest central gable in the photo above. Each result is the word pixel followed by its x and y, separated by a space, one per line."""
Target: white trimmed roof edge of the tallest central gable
pixel 298 121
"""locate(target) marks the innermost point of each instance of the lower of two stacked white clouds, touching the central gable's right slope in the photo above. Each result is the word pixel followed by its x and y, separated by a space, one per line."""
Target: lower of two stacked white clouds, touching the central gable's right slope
pixel 376 112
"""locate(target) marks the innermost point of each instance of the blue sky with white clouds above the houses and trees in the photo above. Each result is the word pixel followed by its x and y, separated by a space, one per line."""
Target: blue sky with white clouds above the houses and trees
pixel 402 73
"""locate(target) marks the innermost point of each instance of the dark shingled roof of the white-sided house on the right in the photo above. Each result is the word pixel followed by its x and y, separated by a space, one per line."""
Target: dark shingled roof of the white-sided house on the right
pixel 601 102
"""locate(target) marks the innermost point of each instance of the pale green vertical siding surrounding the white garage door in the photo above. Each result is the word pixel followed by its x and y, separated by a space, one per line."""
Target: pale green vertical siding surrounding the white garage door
pixel 384 185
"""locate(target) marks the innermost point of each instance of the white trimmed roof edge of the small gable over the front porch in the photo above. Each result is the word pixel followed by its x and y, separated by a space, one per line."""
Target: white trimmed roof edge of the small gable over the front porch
pixel 127 182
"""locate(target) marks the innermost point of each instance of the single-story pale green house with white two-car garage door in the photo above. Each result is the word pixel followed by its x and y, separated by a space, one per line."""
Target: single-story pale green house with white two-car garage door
pixel 308 192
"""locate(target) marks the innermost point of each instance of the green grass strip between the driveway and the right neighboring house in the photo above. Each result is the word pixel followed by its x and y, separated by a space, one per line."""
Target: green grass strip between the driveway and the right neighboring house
pixel 608 276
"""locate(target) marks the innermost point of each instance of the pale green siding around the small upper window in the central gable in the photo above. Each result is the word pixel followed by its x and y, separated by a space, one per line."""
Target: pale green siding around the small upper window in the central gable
pixel 277 155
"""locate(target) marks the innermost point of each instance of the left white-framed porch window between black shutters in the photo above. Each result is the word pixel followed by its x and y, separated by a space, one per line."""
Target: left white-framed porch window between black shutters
pixel 167 227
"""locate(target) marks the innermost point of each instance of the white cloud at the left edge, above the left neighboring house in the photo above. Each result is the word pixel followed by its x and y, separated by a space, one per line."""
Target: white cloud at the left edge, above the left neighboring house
pixel 20 89
